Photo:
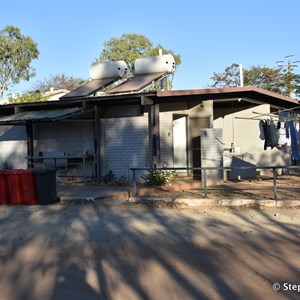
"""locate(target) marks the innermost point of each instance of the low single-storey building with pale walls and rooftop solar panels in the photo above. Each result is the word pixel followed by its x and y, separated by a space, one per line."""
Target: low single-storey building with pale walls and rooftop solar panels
pixel 95 129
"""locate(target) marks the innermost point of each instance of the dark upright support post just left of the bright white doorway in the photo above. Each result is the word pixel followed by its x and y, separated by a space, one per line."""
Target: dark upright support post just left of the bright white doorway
pixel 154 115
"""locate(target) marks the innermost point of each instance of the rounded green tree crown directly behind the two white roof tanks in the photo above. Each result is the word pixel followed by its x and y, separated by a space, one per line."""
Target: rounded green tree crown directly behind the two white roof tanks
pixel 129 47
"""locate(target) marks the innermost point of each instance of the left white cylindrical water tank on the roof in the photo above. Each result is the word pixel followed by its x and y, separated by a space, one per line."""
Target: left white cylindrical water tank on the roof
pixel 108 69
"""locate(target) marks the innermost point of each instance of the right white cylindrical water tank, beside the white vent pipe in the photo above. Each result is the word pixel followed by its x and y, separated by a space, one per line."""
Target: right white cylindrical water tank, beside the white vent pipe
pixel 155 64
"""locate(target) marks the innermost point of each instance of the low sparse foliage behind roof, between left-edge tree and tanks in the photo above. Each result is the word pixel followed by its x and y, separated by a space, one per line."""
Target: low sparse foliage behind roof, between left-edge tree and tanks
pixel 59 81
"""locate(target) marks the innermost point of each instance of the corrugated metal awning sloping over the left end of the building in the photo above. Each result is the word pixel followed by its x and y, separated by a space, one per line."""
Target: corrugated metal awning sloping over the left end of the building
pixel 39 115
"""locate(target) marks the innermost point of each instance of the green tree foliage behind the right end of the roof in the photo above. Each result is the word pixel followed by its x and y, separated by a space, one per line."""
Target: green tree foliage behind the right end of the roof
pixel 278 80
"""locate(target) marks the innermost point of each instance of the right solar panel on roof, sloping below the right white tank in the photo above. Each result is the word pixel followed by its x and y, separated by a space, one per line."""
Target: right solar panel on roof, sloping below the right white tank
pixel 136 83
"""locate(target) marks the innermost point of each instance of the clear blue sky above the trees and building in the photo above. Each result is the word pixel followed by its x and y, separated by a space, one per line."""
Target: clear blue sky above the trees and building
pixel 208 34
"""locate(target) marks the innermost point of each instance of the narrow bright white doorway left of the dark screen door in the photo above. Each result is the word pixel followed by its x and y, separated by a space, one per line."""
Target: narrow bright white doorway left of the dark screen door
pixel 180 138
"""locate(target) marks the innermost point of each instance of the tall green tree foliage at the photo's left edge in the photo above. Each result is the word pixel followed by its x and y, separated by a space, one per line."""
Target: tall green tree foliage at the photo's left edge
pixel 16 53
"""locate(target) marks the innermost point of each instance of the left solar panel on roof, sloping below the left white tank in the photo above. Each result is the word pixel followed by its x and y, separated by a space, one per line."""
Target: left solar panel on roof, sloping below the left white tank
pixel 90 88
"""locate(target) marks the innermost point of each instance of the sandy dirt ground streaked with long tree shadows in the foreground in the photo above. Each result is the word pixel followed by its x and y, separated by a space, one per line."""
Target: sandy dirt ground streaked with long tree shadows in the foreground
pixel 129 252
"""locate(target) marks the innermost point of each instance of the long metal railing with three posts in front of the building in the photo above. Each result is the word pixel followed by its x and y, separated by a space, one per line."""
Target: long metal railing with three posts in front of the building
pixel 205 169
